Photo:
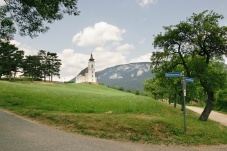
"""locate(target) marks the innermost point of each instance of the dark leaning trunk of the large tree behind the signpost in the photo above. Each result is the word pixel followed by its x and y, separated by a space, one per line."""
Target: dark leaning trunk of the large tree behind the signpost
pixel 209 106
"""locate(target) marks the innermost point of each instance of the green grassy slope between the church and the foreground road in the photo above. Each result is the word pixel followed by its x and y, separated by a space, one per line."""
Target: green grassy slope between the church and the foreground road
pixel 107 113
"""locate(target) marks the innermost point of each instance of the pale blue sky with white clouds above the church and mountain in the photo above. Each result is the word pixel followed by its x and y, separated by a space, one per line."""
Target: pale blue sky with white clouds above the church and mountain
pixel 114 31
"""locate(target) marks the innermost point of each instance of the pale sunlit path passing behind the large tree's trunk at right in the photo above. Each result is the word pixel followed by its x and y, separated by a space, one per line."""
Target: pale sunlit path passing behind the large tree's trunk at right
pixel 215 116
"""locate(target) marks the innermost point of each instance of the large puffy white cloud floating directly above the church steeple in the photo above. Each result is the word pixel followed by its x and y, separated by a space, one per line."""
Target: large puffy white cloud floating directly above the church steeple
pixel 98 35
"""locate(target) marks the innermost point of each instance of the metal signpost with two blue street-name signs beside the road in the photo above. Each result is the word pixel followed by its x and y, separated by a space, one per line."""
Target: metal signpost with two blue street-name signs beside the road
pixel 184 81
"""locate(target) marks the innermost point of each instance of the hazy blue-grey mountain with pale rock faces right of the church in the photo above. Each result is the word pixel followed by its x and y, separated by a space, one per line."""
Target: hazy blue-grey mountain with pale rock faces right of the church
pixel 129 76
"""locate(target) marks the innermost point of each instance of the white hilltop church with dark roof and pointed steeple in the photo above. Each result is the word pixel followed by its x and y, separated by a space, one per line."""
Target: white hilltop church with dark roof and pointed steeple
pixel 88 74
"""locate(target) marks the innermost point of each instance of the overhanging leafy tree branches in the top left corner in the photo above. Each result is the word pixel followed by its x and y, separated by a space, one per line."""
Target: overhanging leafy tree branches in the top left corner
pixel 31 16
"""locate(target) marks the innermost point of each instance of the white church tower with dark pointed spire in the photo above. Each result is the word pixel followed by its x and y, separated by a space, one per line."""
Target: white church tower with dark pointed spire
pixel 91 69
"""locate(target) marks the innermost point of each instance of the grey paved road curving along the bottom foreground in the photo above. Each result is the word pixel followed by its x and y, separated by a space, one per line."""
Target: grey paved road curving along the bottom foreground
pixel 17 134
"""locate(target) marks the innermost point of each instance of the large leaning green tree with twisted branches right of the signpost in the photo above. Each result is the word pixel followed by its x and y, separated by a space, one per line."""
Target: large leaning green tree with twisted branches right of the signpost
pixel 194 44
